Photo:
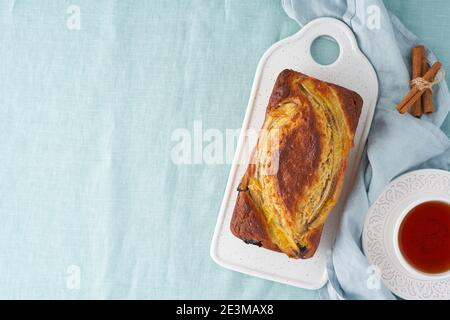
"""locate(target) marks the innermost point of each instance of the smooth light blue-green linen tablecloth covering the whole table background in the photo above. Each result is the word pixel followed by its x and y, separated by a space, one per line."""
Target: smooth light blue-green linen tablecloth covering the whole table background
pixel 90 93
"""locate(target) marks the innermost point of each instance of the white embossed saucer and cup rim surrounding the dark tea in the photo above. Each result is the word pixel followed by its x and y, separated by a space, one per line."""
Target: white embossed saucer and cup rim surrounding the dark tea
pixel 378 241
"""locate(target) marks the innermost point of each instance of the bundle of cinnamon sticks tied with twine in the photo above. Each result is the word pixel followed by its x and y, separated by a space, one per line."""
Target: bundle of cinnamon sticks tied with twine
pixel 420 98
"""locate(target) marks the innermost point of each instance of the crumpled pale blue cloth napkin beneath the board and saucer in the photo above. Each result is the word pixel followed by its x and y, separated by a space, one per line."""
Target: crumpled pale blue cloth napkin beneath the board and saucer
pixel 397 143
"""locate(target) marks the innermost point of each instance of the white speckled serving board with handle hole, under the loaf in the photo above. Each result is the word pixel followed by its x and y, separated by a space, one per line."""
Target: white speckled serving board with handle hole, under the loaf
pixel 351 70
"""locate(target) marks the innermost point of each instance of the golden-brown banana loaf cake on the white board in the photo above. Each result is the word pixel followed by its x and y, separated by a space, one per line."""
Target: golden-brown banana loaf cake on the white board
pixel 297 168
